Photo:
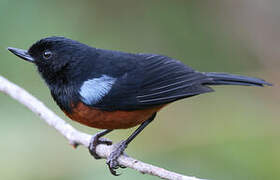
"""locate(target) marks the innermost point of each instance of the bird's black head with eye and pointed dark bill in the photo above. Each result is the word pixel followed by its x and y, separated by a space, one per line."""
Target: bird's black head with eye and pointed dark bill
pixel 57 58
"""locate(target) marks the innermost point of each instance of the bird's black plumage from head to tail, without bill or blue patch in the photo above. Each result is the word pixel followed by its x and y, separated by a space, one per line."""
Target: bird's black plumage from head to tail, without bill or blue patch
pixel 142 80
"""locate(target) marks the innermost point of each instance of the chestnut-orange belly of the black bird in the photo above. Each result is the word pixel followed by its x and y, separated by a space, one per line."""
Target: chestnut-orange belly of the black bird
pixel 101 119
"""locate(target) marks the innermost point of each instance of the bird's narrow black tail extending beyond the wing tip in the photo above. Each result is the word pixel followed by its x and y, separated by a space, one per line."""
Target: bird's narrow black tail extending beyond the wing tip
pixel 231 79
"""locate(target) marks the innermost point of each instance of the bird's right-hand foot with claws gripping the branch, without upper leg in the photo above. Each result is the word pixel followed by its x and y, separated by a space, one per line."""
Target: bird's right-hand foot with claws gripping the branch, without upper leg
pixel 112 160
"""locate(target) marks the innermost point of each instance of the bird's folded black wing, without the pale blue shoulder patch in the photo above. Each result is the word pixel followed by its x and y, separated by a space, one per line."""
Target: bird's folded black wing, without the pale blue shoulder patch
pixel 152 80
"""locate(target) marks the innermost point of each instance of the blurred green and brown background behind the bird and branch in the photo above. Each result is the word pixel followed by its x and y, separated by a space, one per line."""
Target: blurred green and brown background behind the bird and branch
pixel 227 135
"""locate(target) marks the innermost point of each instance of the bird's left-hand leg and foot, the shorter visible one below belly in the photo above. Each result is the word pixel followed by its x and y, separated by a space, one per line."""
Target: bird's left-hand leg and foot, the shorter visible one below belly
pixel 96 140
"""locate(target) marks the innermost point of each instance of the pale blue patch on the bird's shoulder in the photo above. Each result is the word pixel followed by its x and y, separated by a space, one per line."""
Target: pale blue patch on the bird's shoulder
pixel 93 90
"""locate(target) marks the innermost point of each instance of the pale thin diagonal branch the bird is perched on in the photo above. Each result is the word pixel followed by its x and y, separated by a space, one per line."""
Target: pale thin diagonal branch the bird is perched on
pixel 76 137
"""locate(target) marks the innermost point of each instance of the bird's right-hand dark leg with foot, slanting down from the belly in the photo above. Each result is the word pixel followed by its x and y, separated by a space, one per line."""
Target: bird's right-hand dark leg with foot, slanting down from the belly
pixel 112 160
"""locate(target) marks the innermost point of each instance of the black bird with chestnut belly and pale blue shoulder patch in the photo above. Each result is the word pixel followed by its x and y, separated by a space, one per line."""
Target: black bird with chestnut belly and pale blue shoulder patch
pixel 109 90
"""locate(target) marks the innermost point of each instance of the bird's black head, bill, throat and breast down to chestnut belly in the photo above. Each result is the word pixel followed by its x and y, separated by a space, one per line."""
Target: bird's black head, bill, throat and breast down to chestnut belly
pixel 63 64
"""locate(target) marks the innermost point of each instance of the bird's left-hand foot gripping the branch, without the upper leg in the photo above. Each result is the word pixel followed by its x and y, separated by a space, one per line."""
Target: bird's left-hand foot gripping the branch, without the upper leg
pixel 94 142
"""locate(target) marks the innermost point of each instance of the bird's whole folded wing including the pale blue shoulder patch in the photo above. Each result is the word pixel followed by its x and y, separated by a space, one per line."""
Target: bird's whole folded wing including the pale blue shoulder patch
pixel 136 81
